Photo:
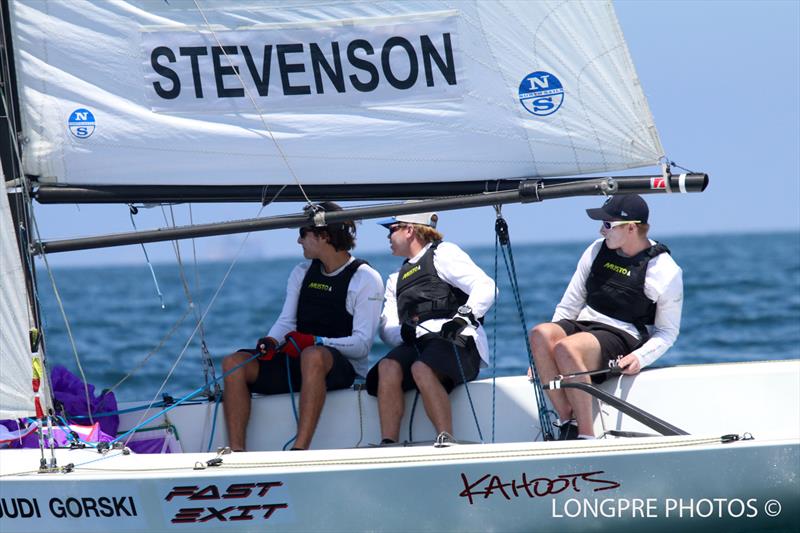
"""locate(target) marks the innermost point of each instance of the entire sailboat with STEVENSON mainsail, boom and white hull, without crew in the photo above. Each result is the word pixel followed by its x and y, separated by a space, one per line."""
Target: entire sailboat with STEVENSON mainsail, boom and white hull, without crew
pixel 455 104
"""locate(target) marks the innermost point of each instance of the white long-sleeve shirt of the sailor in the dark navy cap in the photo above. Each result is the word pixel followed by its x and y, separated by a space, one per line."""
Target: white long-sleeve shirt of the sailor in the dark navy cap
pixel 663 284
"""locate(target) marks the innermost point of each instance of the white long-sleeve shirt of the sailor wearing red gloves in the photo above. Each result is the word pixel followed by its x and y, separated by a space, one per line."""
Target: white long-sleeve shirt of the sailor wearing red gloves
pixel 363 301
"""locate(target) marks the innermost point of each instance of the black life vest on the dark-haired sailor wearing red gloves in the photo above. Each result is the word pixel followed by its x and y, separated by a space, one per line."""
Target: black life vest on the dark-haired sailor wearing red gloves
pixel 322 303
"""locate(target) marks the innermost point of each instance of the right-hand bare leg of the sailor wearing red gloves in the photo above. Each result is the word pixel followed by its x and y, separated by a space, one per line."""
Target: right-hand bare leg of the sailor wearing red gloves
pixel 315 363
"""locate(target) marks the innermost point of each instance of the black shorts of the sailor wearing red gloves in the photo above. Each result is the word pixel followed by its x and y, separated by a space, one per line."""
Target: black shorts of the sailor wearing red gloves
pixel 273 375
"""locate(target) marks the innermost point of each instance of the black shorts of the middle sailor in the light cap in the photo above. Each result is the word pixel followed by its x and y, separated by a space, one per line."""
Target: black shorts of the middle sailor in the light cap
pixel 438 354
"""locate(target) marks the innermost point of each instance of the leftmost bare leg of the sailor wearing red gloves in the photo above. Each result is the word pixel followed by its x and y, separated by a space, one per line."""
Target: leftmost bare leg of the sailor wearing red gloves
pixel 236 397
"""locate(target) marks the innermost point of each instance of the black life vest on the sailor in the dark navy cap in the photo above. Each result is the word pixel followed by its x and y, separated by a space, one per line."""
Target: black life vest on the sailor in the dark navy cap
pixel 615 287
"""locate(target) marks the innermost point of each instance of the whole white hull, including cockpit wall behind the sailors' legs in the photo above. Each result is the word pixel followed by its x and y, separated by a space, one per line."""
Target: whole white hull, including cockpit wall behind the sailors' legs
pixel 661 482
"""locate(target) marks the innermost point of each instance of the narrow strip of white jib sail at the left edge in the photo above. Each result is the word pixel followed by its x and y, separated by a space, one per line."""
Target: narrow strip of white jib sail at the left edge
pixel 17 364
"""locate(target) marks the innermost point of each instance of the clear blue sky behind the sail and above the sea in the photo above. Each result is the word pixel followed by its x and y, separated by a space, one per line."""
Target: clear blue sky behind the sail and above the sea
pixel 723 82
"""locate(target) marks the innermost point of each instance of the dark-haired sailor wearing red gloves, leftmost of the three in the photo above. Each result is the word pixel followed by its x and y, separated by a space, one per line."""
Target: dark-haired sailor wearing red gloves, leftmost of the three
pixel 324 332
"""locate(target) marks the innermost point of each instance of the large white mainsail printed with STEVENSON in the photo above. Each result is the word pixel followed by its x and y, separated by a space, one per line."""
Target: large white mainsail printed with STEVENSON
pixel 152 92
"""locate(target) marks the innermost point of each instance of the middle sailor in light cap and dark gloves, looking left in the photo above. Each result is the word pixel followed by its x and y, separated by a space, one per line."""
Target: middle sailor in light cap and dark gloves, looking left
pixel 433 309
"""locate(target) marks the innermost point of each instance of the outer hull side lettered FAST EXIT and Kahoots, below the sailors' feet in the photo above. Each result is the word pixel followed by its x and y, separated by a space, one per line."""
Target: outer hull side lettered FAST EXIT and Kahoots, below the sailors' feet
pixel 663 483
